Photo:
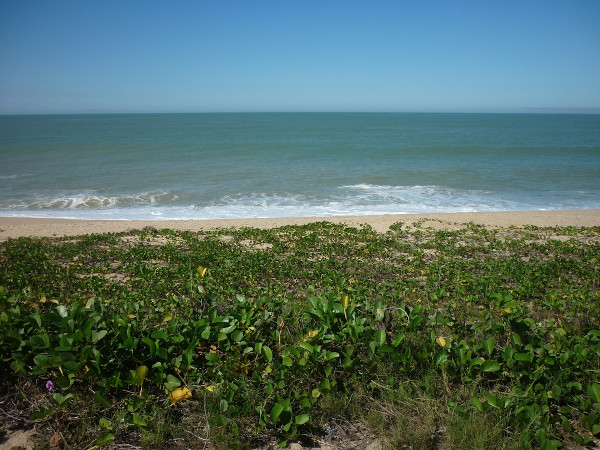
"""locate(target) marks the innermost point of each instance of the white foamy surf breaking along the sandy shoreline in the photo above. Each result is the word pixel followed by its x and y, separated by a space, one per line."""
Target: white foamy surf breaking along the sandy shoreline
pixel 358 199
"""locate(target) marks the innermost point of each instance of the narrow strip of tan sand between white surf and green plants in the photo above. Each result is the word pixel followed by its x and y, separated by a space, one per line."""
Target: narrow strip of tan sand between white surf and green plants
pixel 13 227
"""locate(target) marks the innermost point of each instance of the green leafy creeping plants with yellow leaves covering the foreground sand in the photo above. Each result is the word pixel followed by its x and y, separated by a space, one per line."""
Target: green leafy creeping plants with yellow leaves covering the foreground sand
pixel 469 337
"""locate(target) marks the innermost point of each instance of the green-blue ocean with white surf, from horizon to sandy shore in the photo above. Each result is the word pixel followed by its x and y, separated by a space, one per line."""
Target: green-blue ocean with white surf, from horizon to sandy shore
pixel 208 166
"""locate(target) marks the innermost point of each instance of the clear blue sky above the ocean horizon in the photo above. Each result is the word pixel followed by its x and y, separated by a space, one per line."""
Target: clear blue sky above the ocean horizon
pixel 209 56
